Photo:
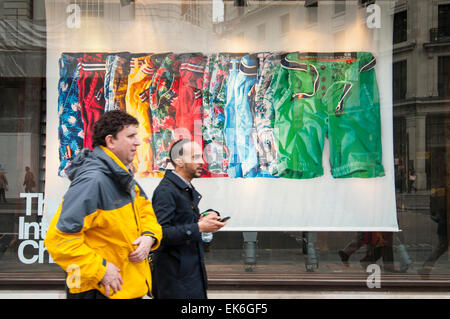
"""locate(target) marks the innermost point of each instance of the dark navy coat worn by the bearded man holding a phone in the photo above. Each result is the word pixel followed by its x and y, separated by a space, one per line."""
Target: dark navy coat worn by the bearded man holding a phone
pixel 178 265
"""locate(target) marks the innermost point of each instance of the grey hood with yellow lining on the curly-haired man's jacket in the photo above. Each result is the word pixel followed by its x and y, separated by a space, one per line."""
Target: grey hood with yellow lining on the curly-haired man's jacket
pixel 101 160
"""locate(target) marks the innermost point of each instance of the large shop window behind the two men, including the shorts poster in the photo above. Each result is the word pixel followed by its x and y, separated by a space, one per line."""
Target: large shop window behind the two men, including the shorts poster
pixel 281 225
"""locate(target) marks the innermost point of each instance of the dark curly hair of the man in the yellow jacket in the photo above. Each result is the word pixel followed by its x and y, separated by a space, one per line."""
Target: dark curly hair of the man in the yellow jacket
pixel 111 123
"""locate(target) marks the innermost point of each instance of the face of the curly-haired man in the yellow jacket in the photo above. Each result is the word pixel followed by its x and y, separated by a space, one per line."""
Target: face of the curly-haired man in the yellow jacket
pixel 124 144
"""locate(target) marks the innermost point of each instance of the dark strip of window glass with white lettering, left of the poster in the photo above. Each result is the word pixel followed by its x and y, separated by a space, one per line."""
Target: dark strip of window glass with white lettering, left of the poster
pixel 22 137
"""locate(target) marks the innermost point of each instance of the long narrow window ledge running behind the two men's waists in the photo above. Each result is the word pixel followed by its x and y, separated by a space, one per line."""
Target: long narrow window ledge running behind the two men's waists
pixel 35 281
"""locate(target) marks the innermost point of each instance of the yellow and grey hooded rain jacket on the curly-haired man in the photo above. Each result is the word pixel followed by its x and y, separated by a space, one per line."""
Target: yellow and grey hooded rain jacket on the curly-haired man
pixel 102 213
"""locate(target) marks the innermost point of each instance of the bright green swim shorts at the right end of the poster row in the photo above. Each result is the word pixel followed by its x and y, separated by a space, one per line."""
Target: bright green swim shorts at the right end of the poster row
pixel 334 95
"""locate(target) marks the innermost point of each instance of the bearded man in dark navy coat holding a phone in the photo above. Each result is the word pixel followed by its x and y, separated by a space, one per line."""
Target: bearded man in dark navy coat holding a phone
pixel 179 268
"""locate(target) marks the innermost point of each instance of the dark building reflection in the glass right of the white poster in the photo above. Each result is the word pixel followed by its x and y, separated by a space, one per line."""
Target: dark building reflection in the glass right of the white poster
pixel 421 89
